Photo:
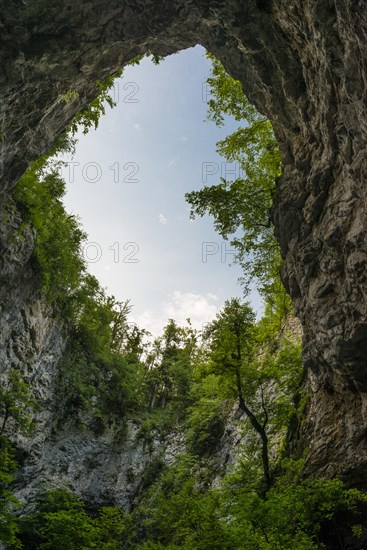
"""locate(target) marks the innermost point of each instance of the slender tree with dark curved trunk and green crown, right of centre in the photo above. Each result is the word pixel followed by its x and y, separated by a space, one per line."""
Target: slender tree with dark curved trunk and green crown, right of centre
pixel 260 364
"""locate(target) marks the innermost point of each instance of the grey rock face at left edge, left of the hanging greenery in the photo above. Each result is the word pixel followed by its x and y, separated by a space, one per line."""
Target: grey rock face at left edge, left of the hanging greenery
pixel 31 339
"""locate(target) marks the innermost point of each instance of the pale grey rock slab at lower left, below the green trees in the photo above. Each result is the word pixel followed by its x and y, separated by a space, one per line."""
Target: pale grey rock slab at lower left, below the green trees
pixel 102 470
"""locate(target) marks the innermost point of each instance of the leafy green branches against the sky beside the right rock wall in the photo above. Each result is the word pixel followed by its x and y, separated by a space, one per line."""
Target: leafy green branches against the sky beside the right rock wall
pixel 242 207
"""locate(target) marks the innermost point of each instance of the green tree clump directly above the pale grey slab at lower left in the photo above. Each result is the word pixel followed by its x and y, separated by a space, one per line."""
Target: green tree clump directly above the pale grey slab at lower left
pixel 100 371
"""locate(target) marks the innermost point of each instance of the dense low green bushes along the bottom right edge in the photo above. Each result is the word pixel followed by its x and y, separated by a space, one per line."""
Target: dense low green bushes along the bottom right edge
pixel 295 514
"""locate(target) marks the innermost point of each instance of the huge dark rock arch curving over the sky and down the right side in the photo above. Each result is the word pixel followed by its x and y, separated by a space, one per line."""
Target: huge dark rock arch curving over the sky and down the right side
pixel 303 63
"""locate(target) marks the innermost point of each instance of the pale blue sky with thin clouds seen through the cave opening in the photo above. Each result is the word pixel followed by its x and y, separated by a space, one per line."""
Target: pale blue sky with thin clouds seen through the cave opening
pixel 127 182
